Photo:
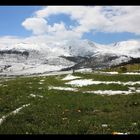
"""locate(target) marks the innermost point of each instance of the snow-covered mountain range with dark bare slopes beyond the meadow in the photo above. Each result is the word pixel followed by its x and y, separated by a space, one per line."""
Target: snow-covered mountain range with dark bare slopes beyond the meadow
pixel 29 58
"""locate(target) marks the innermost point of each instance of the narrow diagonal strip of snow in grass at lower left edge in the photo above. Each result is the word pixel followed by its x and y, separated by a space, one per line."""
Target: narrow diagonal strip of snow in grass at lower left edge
pixel 13 112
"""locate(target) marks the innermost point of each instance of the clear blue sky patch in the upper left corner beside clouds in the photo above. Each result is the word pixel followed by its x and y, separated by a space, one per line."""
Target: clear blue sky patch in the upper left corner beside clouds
pixel 11 18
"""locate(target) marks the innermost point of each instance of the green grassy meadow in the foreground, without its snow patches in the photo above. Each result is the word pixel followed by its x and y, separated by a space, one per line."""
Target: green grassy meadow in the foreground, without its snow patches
pixel 67 112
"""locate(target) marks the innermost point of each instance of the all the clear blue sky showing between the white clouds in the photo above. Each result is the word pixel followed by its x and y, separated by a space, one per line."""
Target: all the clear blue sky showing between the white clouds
pixel 11 18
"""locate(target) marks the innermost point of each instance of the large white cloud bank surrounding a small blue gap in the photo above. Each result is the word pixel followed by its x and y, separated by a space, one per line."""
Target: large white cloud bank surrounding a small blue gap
pixel 110 19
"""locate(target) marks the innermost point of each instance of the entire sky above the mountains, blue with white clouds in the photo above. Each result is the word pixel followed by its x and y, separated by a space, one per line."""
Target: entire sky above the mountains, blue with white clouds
pixel 101 24
